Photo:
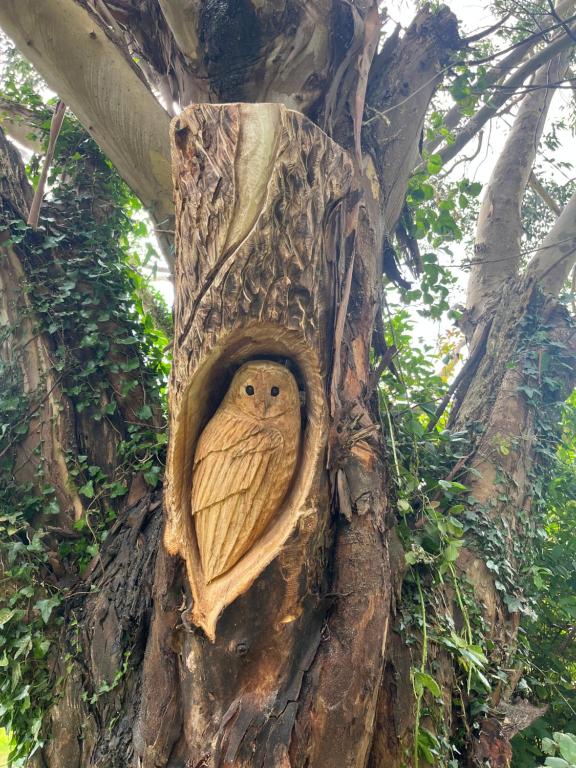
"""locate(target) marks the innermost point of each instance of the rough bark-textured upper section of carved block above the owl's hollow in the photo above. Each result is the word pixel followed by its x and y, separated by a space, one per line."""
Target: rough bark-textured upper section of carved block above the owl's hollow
pixel 276 270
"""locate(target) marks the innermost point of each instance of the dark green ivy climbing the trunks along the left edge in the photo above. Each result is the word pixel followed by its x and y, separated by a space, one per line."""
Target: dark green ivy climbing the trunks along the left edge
pixel 108 335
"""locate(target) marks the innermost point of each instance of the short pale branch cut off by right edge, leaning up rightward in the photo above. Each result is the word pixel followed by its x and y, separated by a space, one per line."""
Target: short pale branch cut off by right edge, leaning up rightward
pixel 557 254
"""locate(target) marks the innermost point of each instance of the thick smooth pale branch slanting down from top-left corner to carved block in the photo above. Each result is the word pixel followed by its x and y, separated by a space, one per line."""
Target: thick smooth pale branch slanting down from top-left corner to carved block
pixel 91 75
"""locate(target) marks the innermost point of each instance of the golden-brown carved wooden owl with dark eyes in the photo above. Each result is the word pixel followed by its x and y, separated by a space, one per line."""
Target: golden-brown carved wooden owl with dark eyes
pixel 244 463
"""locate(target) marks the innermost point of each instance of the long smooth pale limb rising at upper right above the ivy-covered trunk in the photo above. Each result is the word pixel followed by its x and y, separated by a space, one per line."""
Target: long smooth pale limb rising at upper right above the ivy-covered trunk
pixel 499 229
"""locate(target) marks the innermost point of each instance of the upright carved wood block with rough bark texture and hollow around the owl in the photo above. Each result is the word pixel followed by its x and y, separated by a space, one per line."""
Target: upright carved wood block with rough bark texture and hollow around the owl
pixel 260 197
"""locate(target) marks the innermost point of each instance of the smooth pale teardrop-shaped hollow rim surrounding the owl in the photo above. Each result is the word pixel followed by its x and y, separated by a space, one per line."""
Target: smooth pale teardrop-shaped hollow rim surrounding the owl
pixel 199 402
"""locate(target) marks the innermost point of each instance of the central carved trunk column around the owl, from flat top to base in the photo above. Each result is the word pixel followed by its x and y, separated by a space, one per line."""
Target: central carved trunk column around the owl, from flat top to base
pixel 262 203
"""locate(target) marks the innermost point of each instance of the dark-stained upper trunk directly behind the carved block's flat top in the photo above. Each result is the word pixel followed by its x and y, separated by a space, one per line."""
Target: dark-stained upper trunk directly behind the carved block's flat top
pixel 263 52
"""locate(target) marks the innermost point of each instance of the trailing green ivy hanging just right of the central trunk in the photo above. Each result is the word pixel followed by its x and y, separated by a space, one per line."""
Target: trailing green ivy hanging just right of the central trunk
pixel 430 503
